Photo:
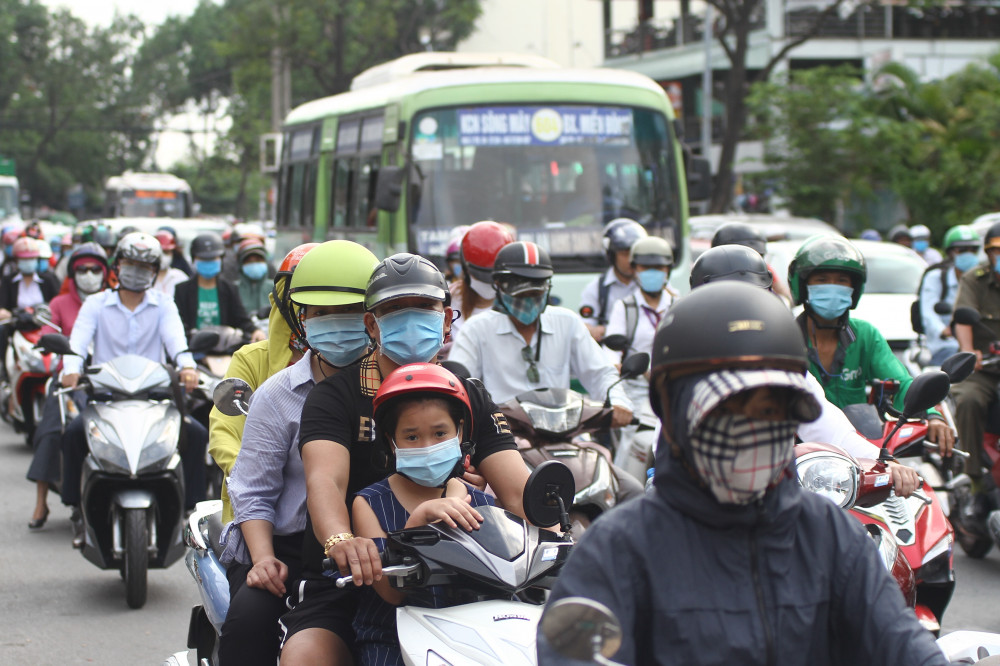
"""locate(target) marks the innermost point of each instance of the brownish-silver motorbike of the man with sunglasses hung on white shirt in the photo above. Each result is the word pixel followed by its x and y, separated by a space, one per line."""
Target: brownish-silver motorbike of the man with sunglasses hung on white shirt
pixel 550 424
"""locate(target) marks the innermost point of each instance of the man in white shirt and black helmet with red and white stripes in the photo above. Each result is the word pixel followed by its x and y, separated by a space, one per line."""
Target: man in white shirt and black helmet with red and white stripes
pixel 524 345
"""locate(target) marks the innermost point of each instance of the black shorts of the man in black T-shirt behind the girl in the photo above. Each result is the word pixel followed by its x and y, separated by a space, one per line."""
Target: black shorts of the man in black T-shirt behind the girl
pixel 317 603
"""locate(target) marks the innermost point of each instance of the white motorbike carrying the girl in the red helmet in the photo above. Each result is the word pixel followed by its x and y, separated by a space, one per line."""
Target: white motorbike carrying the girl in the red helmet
pixel 498 577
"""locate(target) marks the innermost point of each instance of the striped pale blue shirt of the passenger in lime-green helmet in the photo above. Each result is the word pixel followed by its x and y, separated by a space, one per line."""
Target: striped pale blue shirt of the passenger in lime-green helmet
pixel 267 481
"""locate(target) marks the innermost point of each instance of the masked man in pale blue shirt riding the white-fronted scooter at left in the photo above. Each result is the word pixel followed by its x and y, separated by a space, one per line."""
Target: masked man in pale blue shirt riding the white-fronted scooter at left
pixel 131 320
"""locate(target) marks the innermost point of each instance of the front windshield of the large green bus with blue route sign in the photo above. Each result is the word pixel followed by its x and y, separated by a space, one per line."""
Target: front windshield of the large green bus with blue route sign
pixel 558 173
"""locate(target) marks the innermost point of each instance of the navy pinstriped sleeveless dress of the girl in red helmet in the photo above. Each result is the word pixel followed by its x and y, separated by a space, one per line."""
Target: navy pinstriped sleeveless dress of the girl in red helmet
pixel 375 621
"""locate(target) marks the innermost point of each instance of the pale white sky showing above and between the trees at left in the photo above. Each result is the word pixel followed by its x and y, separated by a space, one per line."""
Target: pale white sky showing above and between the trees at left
pixel 172 146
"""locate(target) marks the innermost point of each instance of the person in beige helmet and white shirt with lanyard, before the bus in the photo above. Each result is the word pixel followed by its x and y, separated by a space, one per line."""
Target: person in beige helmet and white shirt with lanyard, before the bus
pixel 600 295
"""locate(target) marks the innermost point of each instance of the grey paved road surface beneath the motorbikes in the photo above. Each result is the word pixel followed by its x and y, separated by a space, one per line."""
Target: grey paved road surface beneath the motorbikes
pixel 56 608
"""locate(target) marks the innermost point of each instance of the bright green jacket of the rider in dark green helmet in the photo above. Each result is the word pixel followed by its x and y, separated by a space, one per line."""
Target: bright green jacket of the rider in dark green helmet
pixel 862 356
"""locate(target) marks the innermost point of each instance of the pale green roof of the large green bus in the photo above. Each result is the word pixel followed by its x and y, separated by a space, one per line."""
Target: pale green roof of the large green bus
pixel 418 82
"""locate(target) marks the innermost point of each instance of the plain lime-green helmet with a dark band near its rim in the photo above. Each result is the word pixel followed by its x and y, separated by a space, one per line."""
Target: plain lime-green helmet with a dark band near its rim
pixel 333 273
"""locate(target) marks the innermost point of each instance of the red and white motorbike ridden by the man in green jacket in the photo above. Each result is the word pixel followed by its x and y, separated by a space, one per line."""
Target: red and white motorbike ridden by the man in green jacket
pixel 919 522
